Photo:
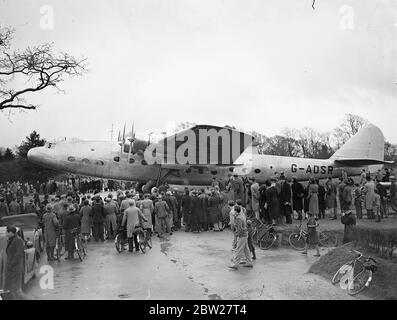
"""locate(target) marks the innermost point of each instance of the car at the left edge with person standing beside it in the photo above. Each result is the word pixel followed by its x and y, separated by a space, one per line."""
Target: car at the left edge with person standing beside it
pixel 28 229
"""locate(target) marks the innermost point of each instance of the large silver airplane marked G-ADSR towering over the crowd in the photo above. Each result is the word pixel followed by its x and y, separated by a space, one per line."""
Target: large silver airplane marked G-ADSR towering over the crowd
pixel 196 155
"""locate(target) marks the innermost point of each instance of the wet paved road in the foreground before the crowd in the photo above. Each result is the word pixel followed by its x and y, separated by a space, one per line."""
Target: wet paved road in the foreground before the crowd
pixel 186 266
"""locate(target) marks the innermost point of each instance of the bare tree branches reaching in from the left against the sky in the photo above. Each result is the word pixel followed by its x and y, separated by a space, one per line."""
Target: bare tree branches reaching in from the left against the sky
pixel 35 67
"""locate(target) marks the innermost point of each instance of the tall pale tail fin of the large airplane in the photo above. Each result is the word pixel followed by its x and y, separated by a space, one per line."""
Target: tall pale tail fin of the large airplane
pixel 366 147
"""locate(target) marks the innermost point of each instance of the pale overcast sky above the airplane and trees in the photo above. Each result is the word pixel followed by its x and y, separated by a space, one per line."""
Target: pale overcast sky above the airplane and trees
pixel 255 64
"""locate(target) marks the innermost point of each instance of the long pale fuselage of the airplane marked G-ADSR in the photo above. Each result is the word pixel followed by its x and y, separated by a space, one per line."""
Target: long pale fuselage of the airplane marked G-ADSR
pixel 106 160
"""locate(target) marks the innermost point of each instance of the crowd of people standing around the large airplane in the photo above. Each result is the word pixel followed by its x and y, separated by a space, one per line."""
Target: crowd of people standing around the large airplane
pixel 228 203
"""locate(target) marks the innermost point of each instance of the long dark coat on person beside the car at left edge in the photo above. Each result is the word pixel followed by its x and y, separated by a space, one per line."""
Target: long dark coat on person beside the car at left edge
pixel 15 264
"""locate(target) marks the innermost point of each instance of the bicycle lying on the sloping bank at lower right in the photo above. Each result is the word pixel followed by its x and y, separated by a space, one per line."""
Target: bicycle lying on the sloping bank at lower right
pixel 355 275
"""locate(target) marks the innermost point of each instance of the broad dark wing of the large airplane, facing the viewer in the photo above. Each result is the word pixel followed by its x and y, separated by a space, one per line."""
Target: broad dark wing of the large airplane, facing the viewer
pixel 206 145
